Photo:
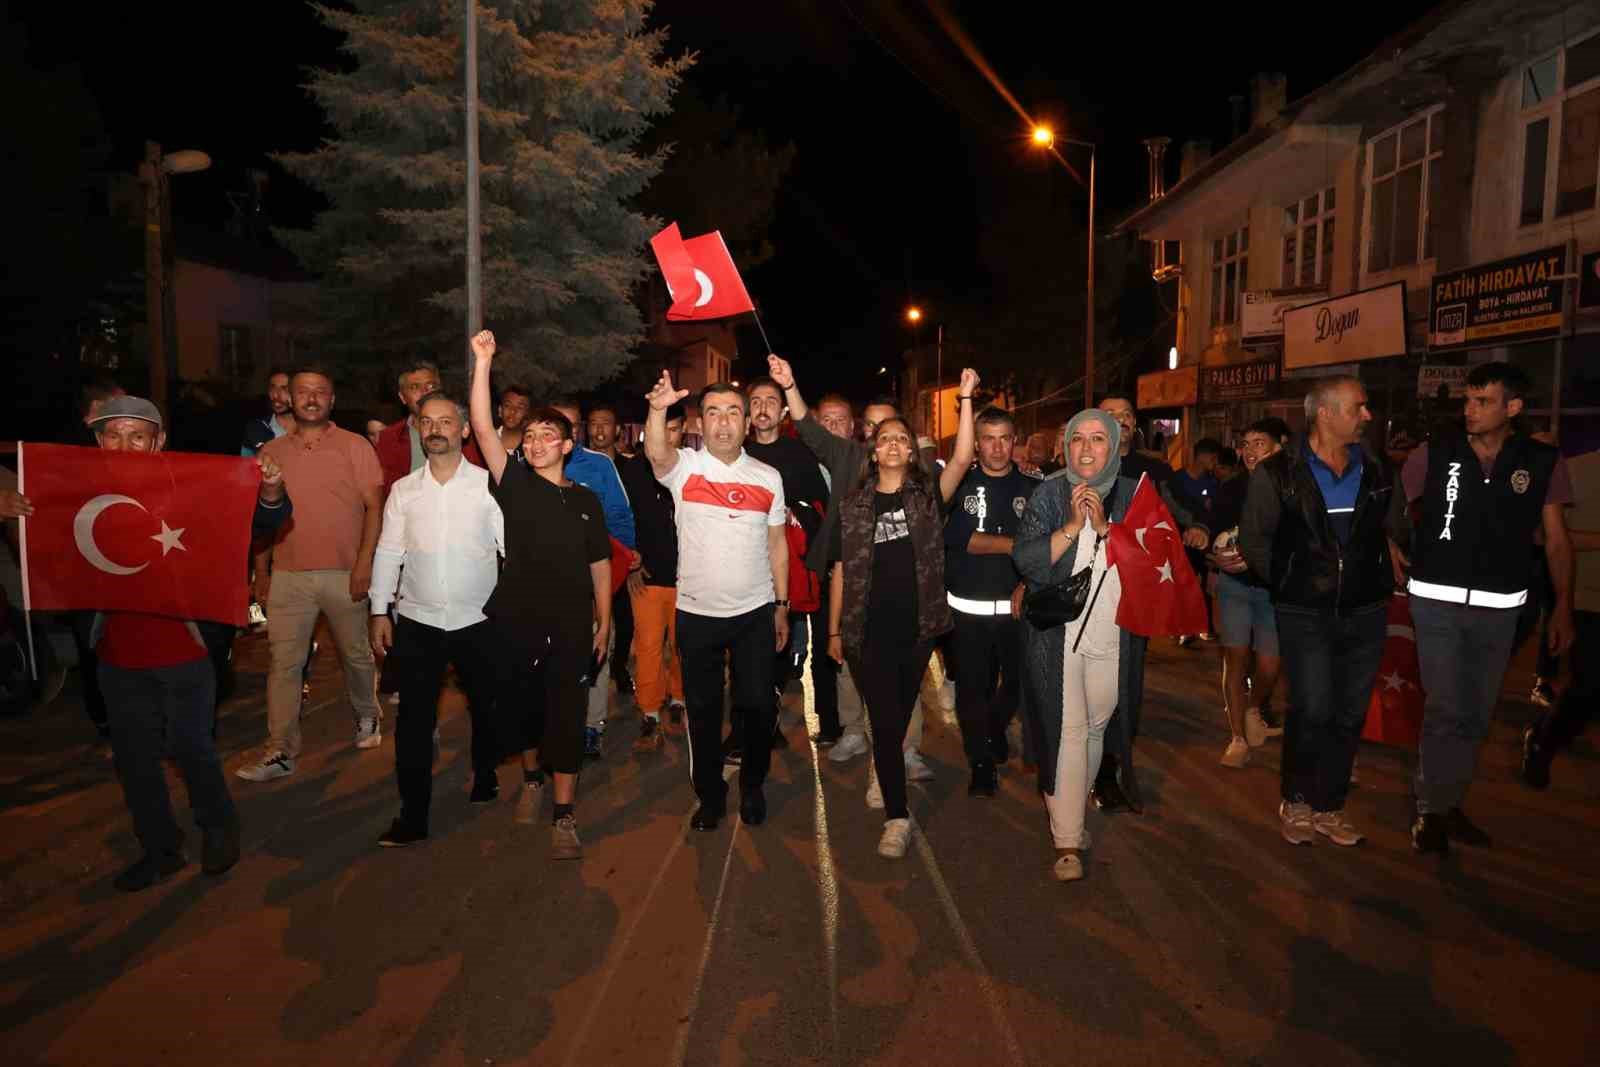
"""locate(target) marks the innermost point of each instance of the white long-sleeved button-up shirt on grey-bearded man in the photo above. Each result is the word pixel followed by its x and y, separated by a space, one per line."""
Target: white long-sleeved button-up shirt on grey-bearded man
pixel 439 548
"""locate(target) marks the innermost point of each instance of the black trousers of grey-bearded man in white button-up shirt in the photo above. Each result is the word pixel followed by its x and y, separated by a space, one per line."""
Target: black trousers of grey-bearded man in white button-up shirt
pixel 418 666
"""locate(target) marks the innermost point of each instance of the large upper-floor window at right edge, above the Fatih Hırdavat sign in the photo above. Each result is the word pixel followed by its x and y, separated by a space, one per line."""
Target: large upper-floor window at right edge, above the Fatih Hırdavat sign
pixel 1561 134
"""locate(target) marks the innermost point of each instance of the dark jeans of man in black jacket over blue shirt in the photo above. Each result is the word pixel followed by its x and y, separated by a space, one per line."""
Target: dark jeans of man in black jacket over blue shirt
pixel 1332 663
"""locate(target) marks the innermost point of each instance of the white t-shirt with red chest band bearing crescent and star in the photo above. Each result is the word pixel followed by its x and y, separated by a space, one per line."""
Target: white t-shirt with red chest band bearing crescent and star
pixel 722 514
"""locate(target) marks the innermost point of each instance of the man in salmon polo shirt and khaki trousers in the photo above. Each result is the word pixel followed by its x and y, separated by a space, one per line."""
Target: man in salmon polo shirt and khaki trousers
pixel 322 565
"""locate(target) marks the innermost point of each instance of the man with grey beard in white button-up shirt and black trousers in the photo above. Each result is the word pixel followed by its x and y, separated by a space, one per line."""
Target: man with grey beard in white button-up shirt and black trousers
pixel 446 530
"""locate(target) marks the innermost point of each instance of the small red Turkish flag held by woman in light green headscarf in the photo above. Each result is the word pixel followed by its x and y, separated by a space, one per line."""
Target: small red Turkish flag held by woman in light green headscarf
pixel 1161 594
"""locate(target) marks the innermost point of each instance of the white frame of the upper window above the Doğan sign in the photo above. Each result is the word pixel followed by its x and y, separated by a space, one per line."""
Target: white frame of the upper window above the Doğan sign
pixel 1393 175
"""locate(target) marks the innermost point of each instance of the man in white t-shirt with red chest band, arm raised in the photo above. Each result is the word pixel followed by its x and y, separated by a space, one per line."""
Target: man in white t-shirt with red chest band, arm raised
pixel 732 557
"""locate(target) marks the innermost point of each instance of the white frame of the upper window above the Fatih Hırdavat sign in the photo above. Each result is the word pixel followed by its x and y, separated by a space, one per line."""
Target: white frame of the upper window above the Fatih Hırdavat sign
pixel 1543 100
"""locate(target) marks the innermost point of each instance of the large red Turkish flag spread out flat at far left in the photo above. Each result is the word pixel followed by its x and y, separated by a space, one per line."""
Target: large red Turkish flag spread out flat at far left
pixel 164 533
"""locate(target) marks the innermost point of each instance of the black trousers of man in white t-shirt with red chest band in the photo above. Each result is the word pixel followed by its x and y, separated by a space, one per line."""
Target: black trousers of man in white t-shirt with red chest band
pixel 748 641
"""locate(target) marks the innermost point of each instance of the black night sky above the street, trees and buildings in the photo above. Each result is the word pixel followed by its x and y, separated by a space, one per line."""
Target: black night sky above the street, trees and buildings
pixel 905 151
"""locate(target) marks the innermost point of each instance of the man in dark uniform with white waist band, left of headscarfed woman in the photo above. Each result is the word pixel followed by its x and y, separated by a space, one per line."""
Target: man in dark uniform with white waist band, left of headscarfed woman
pixel 986 647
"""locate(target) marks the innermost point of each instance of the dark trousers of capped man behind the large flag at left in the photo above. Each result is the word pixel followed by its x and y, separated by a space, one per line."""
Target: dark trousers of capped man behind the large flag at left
pixel 154 711
